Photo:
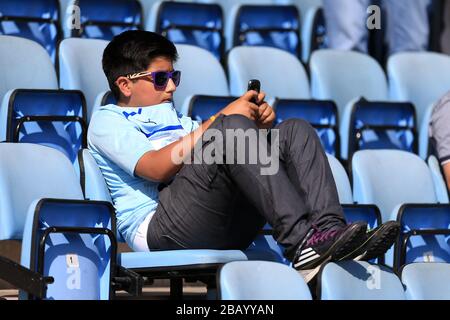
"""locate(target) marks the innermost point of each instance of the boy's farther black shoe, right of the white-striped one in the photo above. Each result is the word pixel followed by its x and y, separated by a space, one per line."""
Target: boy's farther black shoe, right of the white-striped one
pixel 378 241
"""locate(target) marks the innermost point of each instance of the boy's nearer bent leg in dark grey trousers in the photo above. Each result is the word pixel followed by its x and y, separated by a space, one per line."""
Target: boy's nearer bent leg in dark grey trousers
pixel 198 209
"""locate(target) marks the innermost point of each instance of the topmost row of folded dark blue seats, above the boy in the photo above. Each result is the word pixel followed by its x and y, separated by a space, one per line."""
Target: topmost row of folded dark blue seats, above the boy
pixel 213 25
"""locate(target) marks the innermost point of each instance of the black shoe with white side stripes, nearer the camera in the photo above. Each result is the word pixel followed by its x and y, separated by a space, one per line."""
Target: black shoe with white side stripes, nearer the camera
pixel 331 245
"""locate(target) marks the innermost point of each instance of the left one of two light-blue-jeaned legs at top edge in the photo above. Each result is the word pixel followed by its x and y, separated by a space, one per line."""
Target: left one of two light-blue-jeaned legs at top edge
pixel 346 24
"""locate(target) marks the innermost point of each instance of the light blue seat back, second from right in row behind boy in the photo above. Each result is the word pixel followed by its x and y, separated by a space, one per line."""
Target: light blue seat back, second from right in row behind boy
pixel 345 75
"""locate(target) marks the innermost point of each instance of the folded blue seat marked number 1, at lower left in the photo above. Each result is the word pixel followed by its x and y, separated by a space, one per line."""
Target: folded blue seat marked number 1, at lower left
pixel 68 242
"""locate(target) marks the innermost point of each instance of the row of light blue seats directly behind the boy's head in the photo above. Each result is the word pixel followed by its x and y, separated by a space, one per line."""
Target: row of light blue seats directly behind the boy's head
pixel 346 99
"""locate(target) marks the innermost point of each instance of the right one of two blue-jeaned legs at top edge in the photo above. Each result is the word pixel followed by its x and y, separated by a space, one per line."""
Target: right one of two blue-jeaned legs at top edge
pixel 411 32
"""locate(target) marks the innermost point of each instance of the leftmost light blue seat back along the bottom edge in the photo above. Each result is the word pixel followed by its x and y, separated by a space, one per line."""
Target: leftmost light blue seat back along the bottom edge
pixel 261 280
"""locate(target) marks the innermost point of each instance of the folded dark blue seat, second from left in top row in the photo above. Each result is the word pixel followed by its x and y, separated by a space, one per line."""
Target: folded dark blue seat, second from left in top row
pixel 103 19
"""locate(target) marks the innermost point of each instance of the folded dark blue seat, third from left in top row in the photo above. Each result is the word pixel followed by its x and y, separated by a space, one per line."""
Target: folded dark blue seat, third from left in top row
pixel 199 24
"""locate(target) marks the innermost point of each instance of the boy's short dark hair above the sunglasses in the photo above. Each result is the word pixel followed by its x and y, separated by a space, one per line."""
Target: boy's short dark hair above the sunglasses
pixel 132 52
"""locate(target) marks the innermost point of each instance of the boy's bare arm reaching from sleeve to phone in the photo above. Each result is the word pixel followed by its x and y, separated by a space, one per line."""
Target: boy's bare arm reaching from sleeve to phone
pixel 160 165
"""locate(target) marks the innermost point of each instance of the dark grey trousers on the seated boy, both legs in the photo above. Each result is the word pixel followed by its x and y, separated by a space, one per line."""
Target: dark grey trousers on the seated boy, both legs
pixel 224 206
